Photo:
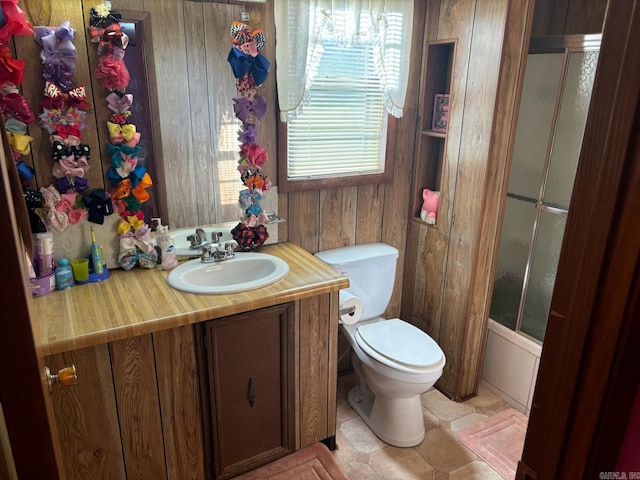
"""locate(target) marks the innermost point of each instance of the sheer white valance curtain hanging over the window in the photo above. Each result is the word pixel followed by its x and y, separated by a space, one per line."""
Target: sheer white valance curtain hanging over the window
pixel 304 26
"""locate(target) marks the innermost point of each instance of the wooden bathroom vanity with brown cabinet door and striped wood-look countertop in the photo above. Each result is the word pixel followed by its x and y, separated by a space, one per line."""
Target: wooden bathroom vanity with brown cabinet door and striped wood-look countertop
pixel 174 385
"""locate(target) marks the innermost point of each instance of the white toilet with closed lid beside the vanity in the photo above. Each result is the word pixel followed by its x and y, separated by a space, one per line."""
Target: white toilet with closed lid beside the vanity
pixel 394 361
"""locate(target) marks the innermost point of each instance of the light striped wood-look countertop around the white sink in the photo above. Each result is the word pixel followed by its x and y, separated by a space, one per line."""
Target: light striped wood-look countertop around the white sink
pixel 140 301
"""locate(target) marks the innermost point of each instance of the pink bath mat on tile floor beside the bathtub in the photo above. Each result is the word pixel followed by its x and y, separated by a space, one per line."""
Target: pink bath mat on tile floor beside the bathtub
pixel 498 440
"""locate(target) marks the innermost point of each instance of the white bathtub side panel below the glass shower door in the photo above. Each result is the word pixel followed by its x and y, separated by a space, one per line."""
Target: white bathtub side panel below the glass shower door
pixel 510 367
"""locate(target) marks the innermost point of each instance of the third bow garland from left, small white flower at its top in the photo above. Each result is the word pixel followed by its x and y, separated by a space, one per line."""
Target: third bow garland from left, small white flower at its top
pixel 129 181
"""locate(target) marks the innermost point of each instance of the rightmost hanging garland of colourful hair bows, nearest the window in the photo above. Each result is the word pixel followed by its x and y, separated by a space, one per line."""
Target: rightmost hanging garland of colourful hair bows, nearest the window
pixel 250 68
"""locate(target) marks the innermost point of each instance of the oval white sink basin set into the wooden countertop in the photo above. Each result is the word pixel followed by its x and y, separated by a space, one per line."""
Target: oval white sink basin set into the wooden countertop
pixel 247 271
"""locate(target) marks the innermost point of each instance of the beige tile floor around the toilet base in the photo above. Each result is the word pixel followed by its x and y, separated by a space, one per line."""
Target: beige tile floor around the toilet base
pixel 440 456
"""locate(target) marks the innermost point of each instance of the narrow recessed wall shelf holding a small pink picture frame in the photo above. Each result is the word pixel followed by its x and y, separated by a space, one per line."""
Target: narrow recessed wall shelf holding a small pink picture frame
pixel 430 161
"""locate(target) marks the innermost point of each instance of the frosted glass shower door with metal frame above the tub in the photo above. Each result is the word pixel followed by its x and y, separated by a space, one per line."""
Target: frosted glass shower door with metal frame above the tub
pixel 553 112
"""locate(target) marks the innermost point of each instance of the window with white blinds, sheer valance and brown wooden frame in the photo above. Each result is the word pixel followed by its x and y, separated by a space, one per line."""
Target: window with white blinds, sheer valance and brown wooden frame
pixel 336 94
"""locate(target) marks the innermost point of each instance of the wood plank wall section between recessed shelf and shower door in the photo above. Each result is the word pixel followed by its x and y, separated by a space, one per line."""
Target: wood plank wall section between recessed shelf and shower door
pixel 449 269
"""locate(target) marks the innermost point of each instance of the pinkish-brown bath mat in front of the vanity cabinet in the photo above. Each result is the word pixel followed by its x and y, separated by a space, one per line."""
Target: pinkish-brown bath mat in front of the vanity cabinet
pixel 314 462
